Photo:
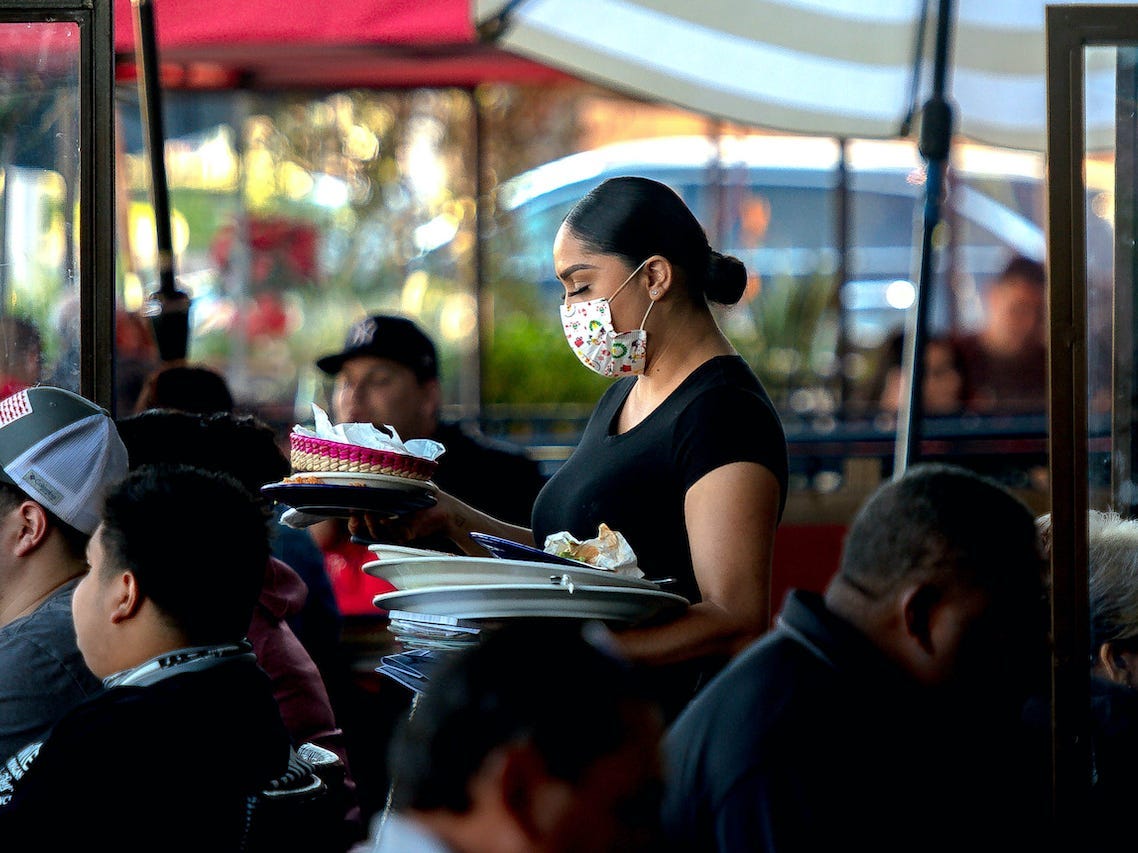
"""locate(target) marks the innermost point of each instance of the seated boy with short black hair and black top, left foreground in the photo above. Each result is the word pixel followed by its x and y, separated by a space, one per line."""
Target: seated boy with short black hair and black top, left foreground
pixel 188 725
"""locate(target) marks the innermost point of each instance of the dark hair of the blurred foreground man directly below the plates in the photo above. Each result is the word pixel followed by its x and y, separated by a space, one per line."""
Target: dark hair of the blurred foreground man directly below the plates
pixel 571 701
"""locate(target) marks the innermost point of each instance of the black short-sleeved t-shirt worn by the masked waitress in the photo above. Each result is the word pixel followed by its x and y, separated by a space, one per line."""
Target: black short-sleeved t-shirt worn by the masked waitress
pixel 636 483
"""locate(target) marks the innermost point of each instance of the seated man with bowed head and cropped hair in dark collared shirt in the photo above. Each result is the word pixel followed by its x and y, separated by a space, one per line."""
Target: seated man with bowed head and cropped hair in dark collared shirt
pixel 887 715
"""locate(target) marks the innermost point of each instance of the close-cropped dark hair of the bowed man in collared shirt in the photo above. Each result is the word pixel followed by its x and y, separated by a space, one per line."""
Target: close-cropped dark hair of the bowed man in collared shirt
pixel 942 518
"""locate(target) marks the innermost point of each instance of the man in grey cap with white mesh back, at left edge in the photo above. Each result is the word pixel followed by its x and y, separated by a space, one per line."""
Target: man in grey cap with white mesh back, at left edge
pixel 59 456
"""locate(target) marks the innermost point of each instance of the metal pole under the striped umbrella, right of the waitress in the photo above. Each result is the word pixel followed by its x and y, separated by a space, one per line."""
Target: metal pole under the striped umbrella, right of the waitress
pixel 936 140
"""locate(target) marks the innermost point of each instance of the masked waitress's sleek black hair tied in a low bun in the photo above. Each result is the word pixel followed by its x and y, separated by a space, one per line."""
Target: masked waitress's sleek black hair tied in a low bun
pixel 637 218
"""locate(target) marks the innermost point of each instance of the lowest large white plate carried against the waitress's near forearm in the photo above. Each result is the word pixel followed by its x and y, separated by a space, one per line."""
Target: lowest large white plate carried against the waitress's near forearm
pixel 509 601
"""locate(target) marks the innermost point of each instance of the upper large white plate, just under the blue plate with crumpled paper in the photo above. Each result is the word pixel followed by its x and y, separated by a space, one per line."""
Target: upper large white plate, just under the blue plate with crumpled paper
pixel 463 572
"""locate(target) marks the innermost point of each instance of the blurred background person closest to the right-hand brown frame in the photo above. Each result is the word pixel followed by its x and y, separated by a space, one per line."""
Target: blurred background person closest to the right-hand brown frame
pixel 1007 361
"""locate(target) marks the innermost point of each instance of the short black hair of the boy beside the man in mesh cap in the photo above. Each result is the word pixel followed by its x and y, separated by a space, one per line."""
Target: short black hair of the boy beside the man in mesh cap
pixel 197 545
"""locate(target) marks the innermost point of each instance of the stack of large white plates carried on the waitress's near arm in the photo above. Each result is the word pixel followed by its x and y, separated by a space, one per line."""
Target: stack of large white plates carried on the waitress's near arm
pixel 475 590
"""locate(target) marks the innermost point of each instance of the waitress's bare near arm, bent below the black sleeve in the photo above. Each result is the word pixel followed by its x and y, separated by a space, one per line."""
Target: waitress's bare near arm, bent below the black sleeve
pixel 731 515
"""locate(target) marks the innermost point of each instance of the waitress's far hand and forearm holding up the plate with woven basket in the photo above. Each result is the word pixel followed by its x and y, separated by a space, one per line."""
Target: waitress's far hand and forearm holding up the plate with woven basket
pixel 450 517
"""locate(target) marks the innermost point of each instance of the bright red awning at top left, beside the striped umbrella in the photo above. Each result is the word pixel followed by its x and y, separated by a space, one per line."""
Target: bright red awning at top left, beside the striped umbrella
pixel 331 45
